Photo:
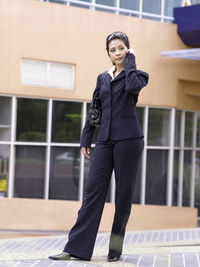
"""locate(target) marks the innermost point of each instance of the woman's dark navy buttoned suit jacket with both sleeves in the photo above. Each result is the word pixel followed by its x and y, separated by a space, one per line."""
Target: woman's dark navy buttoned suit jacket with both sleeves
pixel 118 100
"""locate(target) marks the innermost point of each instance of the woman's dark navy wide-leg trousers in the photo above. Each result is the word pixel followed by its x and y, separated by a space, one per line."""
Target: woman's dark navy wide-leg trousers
pixel 123 157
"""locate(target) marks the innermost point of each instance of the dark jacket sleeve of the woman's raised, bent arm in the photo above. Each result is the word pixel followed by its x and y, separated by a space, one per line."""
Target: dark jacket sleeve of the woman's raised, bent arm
pixel 135 79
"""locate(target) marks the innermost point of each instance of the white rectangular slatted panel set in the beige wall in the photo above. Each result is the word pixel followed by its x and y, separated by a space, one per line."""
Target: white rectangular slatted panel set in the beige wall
pixel 48 74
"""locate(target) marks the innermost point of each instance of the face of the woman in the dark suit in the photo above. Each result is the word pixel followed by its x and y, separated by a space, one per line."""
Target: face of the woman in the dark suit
pixel 117 51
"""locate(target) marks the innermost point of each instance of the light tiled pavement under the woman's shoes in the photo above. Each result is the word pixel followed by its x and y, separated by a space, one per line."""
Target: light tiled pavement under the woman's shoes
pixel 162 248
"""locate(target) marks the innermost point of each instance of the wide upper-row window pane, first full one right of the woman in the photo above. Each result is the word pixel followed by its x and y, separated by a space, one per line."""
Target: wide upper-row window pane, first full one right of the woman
pixel 158 127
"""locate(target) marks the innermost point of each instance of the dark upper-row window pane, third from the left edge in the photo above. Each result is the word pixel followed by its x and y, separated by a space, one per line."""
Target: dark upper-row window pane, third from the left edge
pixel 66 122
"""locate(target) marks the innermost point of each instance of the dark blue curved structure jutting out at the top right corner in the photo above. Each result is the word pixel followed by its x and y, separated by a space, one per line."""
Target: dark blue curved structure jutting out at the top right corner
pixel 188 20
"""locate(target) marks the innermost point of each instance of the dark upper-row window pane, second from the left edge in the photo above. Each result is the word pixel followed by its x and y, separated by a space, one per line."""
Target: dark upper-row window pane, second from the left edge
pixel 31 120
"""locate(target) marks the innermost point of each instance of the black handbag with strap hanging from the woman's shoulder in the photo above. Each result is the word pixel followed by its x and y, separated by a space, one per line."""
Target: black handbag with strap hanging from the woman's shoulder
pixel 94 113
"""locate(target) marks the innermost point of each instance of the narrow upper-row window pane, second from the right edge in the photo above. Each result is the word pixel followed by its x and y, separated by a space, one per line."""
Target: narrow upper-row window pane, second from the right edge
pixel 188 129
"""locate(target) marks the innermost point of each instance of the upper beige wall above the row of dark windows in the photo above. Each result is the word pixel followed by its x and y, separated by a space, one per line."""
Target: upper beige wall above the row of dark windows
pixel 60 33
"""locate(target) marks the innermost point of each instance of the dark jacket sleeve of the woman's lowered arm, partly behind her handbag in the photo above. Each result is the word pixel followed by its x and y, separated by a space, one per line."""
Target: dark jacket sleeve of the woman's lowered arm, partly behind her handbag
pixel 88 130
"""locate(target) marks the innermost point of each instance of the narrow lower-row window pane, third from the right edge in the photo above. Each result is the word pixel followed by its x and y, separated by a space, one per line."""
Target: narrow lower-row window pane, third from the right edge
pixel 175 177
